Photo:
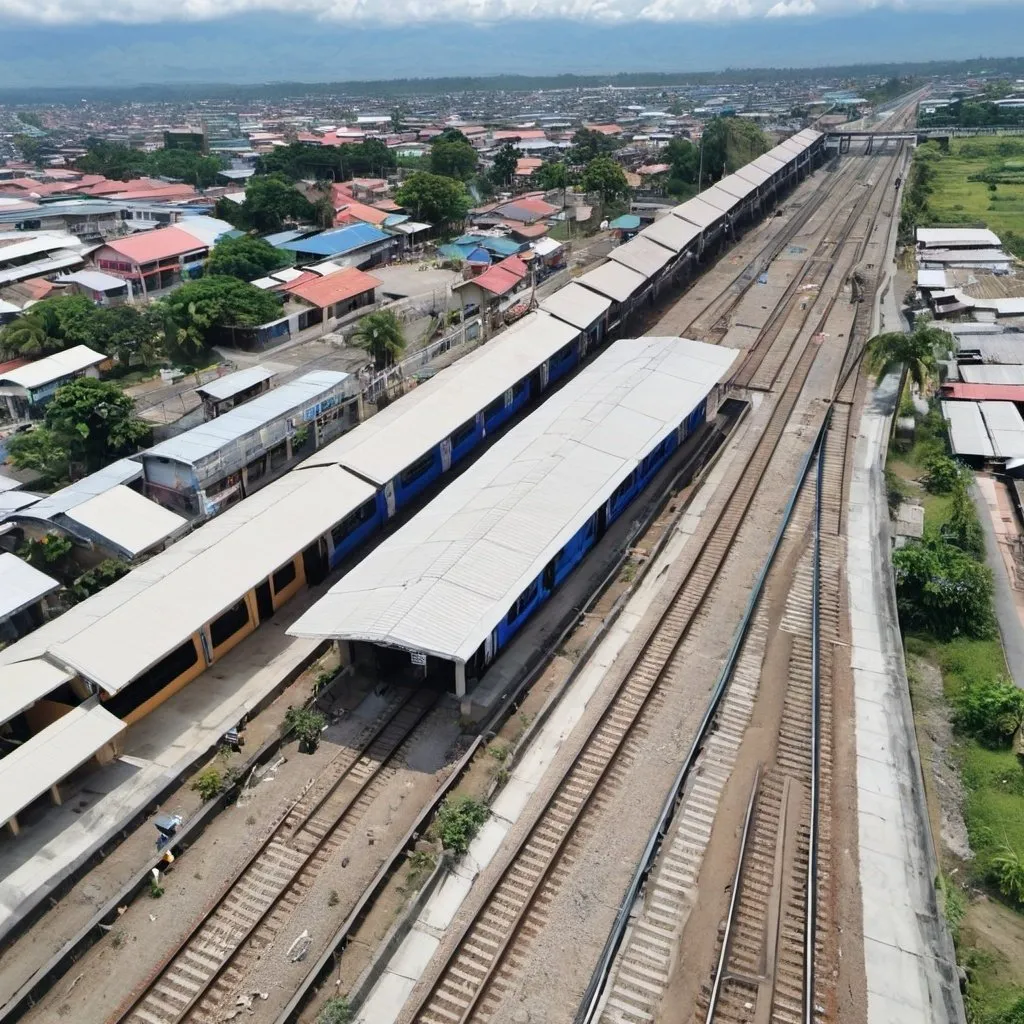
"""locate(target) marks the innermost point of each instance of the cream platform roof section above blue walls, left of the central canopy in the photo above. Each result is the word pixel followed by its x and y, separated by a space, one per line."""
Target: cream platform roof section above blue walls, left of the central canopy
pixel 382 447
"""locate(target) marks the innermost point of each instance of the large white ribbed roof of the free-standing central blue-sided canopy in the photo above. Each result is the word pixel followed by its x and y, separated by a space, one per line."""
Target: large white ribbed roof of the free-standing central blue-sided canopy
pixel 444 582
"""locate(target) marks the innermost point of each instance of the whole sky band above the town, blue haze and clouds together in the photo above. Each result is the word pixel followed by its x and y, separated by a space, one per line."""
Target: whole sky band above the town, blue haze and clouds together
pixel 66 42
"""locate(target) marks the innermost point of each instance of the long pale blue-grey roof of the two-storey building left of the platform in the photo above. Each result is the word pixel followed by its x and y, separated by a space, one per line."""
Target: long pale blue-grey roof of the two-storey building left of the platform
pixel 202 442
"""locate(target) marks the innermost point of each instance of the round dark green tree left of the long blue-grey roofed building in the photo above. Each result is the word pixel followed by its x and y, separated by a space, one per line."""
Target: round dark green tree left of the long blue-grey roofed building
pixel 95 421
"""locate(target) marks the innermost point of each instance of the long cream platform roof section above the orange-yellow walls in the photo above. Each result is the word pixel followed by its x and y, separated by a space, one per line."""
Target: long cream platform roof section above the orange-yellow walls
pixel 114 636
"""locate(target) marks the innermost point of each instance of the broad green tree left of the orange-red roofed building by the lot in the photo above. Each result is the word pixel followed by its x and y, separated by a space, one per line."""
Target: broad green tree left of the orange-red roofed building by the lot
pixel 195 314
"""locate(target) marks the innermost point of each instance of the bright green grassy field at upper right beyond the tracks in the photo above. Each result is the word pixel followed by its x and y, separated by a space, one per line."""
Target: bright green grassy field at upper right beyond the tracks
pixel 956 200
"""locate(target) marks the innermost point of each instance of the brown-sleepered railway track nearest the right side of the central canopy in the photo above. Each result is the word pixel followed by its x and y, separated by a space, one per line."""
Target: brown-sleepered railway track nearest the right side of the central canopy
pixel 474 982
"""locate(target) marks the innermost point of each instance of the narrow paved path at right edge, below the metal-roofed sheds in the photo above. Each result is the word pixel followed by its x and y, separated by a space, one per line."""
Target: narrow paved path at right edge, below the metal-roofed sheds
pixel 993 504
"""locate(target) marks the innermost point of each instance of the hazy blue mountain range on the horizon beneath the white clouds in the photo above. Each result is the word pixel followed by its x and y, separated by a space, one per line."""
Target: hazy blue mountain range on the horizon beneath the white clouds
pixel 269 48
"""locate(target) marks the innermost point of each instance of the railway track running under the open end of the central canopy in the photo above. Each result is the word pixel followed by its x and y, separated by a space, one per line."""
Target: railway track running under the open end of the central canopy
pixel 204 969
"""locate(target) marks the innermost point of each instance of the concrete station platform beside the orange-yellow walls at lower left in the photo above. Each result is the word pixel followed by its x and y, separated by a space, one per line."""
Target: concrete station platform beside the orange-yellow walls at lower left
pixel 56 842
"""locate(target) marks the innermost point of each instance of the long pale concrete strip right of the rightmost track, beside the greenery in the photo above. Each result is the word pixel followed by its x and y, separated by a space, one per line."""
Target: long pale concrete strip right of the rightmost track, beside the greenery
pixel 910 961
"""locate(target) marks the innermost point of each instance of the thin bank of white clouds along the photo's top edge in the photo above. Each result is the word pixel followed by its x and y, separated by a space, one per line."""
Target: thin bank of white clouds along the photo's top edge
pixel 411 12
